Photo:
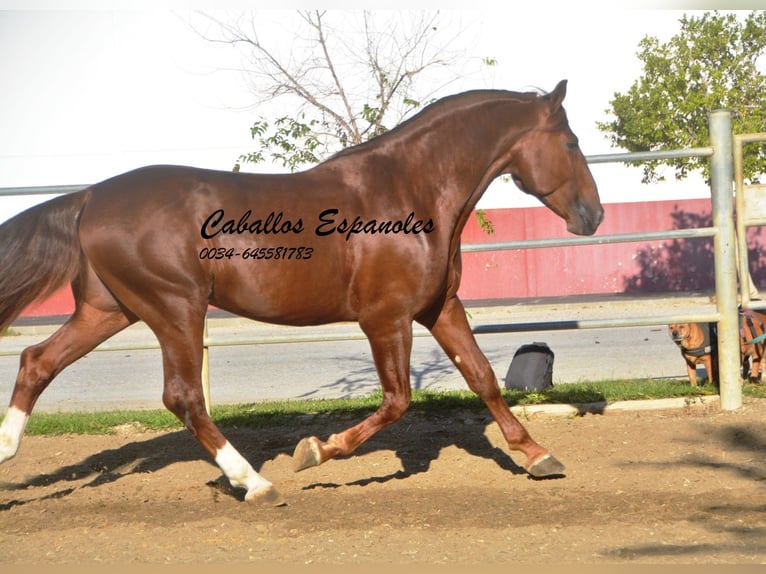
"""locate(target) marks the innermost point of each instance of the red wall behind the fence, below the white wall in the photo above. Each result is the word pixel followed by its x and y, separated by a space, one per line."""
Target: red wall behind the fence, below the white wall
pixel 666 265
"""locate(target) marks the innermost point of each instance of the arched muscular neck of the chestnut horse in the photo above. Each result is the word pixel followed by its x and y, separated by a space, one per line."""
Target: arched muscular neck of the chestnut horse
pixel 444 160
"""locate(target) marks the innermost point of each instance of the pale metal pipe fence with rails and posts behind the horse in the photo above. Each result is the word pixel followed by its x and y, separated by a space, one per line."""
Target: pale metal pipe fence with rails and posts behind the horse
pixel 723 160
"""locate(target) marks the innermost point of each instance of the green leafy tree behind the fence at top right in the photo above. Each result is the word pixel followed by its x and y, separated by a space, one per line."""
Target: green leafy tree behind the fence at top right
pixel 712 63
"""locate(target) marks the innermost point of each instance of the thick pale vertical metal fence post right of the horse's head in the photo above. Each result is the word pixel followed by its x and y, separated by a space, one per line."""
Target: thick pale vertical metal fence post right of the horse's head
pixel 721 178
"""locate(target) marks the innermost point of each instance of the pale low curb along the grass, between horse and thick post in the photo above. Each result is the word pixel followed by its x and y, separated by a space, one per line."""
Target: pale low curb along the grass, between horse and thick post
pixel 603 408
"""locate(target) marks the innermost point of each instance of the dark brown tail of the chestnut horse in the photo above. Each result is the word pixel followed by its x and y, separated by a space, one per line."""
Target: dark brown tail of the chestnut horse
pixel 39 253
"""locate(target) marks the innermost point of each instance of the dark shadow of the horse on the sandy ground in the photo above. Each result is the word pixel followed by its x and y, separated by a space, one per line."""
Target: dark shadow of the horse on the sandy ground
pixel 148 456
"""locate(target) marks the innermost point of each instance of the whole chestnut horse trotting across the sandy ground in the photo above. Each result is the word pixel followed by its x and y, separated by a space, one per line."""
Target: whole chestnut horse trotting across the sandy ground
pixel 371 235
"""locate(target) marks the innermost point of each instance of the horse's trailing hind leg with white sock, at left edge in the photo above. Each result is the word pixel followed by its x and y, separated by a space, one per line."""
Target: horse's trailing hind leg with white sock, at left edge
pixel 40 364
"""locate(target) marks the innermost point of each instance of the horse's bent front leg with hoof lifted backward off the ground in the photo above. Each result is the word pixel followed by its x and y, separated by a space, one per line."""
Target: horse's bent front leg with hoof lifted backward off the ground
pixel 391 346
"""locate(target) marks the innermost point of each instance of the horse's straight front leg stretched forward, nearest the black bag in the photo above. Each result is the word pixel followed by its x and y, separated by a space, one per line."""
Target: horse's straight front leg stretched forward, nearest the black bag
pixel 453 333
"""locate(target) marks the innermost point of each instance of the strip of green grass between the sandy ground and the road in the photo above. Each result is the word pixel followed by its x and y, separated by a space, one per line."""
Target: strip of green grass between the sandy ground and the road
pixel 297 412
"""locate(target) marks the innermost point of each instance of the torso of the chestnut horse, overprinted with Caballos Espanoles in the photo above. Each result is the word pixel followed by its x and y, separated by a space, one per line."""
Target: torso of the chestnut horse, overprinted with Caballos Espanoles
pixel 287 249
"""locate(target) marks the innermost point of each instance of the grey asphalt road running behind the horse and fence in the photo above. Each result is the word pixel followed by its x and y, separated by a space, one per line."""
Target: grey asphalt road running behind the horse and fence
pixel 342 368
